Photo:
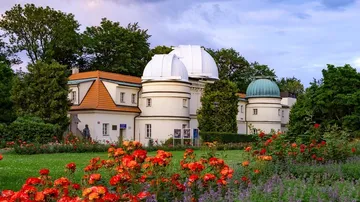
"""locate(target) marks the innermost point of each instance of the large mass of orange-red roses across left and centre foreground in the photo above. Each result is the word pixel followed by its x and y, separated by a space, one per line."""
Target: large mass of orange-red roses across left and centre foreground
pixel 134 176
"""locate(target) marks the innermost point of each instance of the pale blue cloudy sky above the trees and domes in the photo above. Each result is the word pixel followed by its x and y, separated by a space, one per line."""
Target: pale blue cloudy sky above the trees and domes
pixel 293 37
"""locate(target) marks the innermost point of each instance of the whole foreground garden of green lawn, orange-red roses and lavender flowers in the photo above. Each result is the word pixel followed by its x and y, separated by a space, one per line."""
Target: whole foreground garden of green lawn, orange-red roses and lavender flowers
pixel 271 168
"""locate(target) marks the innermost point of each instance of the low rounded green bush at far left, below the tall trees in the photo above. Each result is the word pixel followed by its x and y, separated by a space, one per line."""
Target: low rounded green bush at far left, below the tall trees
pixel 31 129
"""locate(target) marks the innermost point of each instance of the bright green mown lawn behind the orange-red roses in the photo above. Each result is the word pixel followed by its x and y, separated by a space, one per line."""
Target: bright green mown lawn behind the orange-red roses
pixel 15 169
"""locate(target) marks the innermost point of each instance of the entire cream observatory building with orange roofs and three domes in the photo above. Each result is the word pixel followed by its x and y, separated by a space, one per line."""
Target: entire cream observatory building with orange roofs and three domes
pixel 118 107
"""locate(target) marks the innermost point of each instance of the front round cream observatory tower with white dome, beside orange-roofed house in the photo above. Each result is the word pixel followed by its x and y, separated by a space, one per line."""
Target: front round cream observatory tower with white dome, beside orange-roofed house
pixel 164 101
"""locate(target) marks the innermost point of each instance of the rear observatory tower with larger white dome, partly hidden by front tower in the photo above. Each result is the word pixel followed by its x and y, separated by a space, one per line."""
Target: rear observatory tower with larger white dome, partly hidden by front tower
pixel 202 69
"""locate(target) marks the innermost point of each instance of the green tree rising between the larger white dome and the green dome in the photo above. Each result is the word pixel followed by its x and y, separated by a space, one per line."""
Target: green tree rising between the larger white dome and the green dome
pixel 234 67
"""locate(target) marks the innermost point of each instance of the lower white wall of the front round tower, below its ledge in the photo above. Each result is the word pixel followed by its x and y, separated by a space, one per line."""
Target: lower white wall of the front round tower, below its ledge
pixel 161 128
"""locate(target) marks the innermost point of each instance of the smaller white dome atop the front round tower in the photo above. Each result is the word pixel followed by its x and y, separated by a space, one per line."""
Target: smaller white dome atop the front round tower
pixel 165 67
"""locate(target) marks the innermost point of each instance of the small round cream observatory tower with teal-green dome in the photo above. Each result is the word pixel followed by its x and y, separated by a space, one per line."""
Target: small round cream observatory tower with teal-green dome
pixel 263 110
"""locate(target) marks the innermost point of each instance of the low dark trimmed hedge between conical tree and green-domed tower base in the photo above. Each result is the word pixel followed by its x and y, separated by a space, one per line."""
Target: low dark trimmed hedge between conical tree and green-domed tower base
pixel 226 137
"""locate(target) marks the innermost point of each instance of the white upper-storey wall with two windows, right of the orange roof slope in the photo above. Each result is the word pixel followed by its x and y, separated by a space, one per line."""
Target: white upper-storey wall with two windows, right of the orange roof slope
pixel 115 90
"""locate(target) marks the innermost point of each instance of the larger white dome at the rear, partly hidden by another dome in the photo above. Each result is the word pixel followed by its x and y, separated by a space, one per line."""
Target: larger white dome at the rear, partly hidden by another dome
pixel 198 62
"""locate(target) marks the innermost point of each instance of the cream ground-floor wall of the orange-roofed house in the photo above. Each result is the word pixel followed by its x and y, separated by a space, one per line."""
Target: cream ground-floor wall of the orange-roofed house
pixel 95 120
